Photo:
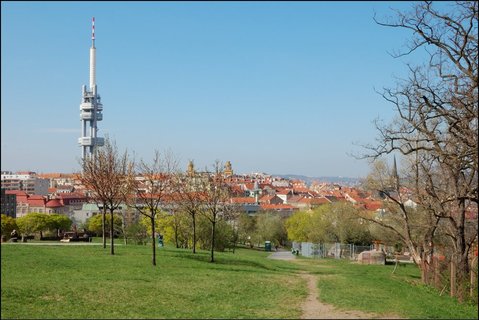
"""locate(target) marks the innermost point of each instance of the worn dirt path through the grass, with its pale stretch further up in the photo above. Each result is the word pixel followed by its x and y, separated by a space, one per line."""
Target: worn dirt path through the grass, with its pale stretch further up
pixel 313 308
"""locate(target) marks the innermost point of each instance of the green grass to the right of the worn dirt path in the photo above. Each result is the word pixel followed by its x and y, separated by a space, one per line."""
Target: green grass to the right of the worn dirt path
pixel 373 288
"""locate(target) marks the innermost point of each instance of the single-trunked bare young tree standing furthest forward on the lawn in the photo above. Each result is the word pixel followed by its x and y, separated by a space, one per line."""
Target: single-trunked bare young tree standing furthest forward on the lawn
pixel 158 179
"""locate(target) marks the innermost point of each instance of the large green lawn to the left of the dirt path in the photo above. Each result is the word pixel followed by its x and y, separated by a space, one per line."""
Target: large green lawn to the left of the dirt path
pixel 86 282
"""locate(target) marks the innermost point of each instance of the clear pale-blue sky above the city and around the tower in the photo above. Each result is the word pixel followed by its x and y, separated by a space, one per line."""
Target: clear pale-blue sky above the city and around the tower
pixel 276 87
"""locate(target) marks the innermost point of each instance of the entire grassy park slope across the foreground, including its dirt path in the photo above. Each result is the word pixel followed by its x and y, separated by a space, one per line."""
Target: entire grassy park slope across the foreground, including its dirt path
pixel 51 280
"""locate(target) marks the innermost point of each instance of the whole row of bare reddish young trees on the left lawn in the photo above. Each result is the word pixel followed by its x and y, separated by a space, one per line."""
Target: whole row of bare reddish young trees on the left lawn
pixel 113 179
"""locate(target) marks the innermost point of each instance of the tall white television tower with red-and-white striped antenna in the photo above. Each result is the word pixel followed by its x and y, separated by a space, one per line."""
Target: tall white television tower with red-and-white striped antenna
pixel 91 108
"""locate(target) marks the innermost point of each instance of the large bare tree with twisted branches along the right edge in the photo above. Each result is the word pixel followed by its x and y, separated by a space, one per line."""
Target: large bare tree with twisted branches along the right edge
pixel 437 121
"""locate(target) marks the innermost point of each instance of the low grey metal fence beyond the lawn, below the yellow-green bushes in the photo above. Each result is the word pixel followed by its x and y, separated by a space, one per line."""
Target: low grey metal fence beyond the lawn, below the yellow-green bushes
pixel 330 250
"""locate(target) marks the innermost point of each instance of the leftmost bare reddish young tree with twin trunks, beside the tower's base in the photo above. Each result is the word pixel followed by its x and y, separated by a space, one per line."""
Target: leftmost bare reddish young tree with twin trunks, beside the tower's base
pixel 107 175
